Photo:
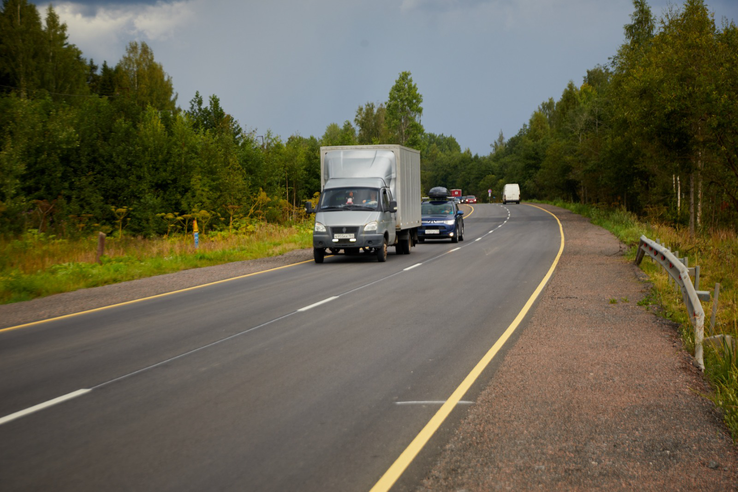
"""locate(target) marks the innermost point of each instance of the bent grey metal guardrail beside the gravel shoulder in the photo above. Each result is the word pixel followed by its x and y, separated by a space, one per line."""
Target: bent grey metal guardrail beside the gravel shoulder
pixel 680 274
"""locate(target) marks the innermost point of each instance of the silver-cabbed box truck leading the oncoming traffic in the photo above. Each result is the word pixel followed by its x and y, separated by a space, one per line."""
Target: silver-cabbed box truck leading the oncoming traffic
pixel 370 199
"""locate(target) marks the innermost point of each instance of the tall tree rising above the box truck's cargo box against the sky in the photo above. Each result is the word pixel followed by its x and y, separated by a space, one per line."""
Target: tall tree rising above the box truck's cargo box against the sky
pixel 404 111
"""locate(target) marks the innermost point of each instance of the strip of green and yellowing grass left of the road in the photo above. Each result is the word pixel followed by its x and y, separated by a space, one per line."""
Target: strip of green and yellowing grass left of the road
pixel 37 265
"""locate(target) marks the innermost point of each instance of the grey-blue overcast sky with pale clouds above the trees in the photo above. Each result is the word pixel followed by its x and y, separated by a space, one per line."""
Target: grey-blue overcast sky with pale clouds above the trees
pixel 294 67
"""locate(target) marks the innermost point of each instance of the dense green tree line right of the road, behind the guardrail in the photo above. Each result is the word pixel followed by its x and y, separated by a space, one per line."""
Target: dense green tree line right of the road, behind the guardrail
pixel 653 131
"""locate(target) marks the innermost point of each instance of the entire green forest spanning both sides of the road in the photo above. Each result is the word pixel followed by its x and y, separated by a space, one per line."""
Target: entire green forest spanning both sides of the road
pixel 86 148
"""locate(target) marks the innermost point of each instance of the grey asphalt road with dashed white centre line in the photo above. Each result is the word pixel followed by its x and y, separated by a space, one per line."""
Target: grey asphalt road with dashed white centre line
pixel 313 377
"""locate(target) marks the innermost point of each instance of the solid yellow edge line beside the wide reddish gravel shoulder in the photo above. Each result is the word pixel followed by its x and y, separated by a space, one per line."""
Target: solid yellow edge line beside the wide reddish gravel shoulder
pixel 403 461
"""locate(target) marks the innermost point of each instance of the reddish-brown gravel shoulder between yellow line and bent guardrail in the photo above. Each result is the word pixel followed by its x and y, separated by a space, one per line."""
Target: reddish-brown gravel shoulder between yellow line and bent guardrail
pixel 593 395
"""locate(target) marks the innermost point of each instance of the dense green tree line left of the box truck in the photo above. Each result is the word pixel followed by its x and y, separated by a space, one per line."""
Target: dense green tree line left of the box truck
pixel 84 147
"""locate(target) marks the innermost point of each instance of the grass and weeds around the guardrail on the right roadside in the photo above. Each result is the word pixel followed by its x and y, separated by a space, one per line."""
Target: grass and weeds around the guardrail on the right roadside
pixel 716 252
